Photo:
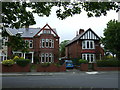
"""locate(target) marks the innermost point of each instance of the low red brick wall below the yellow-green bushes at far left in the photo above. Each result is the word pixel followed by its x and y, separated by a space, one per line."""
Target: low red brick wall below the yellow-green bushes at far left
pixel 15 68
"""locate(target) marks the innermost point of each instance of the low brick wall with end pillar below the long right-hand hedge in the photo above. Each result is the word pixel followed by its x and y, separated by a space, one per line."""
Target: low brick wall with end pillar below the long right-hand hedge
pixel 105 68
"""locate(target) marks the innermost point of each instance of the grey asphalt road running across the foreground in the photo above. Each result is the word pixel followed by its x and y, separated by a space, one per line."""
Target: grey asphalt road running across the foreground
pixel 64 80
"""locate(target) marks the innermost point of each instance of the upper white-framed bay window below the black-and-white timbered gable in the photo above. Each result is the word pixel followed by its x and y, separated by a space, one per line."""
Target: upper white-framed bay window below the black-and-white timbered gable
pixel 88 44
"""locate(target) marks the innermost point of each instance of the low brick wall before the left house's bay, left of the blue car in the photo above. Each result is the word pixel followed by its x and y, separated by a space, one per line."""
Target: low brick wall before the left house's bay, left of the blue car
pixel 51 68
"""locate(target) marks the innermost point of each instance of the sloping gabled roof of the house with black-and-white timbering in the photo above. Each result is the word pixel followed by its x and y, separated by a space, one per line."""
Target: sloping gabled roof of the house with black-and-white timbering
pixel 80 35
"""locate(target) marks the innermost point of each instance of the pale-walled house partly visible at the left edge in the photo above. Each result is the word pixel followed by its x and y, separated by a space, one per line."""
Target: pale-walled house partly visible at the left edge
pixel 3 48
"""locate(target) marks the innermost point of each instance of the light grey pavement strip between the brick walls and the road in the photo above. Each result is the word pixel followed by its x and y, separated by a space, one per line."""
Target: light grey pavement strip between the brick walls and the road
pixel 56 73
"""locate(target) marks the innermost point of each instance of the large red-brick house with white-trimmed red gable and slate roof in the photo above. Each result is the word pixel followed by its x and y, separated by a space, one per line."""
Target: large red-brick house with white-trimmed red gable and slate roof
pixel 43 44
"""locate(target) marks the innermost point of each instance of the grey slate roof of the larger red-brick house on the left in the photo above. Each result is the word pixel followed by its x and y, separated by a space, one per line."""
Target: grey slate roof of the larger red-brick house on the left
pixel 29 32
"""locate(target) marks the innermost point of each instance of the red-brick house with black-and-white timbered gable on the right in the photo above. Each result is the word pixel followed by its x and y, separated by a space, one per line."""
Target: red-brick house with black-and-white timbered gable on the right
pixel 86 45
